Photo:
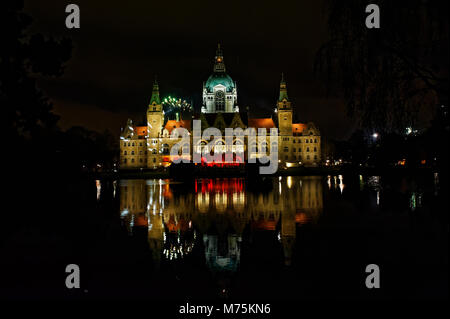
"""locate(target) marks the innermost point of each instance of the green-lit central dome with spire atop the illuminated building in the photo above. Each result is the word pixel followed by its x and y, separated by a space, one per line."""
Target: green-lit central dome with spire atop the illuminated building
pixel 219 91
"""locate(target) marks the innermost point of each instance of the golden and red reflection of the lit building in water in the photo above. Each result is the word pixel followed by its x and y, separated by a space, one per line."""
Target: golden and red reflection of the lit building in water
pixel 216 211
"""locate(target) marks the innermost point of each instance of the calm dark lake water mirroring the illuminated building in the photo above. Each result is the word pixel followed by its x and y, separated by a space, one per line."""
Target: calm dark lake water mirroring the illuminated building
pixel 282 238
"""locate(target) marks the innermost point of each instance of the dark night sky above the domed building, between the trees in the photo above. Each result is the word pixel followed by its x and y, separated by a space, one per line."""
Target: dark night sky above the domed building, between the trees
pixel 121 46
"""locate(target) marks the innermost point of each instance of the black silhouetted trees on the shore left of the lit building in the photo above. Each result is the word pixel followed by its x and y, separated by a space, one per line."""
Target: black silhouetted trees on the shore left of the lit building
pixel 35 143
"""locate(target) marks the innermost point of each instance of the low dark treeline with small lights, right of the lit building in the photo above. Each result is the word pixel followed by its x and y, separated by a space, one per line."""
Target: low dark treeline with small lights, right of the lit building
pixel 415 149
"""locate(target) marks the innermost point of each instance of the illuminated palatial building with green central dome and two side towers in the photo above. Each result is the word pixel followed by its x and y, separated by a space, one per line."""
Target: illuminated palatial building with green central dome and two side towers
pixel 149 145
